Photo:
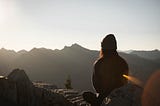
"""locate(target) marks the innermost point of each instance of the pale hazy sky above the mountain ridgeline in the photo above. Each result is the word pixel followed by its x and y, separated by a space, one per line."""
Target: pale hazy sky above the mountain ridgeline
pixel 25 24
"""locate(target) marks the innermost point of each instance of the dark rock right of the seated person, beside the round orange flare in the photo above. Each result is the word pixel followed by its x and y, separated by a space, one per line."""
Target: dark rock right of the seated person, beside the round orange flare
pixel 128 95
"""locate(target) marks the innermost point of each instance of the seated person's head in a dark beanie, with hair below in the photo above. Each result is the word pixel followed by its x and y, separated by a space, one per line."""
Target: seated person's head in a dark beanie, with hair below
pixel 109 43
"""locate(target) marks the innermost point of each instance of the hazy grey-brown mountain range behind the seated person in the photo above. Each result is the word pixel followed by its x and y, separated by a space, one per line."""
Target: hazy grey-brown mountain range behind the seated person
pixel 54 66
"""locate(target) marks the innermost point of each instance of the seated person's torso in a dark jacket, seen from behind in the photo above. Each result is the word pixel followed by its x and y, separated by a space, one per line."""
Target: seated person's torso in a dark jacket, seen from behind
pixel 108 73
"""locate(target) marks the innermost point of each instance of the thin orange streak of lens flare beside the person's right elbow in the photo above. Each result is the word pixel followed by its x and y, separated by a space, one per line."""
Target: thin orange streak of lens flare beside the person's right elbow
pixel 134 80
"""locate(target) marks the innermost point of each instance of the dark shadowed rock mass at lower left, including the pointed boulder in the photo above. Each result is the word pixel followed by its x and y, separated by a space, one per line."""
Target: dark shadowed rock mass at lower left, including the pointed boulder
pixel 18 90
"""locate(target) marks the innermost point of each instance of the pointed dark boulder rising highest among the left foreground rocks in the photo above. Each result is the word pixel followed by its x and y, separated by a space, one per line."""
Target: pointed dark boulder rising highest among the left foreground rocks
pixel 25 88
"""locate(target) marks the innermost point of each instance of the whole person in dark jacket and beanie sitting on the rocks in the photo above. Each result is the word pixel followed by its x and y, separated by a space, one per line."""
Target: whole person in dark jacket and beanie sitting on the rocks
pixel 108 71
